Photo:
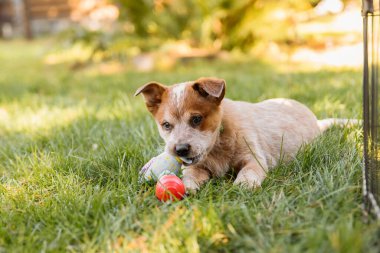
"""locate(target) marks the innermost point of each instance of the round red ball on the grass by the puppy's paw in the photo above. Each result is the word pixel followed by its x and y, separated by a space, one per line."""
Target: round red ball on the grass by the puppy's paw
pixel 170 187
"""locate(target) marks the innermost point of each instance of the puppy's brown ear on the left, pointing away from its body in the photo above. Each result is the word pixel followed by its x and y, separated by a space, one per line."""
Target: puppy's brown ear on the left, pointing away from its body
pixel 152 93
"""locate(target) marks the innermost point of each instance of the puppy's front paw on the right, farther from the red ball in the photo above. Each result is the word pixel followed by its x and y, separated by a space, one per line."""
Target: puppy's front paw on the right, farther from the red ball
pixel 251 175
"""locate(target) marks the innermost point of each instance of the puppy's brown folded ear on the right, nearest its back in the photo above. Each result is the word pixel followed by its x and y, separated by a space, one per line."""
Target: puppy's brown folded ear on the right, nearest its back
pixel 211 88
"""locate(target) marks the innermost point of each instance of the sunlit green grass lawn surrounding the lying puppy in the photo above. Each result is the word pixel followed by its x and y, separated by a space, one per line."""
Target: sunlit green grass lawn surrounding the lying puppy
pixel 72 144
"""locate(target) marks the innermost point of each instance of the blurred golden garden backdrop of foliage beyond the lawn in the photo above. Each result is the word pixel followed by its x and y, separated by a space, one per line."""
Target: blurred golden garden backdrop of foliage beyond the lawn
pixel 158 34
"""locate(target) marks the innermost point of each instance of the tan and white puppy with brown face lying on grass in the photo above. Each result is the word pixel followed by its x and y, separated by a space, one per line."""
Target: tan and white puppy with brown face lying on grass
pixel 212 134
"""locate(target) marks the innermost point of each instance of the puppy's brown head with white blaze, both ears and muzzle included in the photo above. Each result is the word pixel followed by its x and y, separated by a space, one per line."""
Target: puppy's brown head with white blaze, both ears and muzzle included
pixel 188 115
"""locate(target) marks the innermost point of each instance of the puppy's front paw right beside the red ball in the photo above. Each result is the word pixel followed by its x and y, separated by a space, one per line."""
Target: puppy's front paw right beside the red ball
pixel 194 177
